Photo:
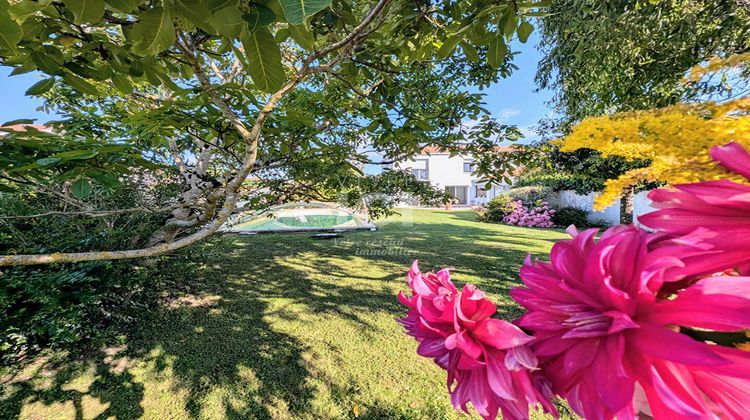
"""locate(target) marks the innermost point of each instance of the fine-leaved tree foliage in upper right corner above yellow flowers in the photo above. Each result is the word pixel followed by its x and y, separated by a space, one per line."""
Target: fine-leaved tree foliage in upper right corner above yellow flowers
pixel 602 57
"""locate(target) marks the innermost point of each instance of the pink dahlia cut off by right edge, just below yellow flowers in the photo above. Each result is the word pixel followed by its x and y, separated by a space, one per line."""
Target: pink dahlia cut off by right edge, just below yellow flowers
pixel 717 212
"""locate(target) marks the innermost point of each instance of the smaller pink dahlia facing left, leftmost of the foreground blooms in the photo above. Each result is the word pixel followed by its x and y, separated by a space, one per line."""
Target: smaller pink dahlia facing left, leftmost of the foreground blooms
pixel 487 361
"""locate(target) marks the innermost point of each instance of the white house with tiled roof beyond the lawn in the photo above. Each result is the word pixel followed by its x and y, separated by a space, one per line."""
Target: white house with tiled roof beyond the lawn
pixel 453 174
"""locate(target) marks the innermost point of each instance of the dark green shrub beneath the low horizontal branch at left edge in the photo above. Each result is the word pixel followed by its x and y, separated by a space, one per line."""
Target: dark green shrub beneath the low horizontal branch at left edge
pixel 62 305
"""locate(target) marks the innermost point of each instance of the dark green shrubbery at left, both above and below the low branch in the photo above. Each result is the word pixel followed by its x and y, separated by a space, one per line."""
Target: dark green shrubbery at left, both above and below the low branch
pixel 66 304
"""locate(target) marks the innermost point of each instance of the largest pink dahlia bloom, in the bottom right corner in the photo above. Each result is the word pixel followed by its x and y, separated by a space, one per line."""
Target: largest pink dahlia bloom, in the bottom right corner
pixel 612 348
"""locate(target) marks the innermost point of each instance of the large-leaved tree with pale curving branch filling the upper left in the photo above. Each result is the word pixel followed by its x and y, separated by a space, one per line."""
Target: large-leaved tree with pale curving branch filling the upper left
pixel 232 100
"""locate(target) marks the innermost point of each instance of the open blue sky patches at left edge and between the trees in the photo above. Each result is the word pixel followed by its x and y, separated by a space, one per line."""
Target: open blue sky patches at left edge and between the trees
pixel 512 100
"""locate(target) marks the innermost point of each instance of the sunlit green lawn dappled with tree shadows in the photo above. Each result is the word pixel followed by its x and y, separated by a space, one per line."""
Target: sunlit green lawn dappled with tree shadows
pixel 283 326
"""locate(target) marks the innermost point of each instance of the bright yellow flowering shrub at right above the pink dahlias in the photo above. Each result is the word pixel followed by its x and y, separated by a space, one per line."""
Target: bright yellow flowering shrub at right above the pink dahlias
pixel 676 139
